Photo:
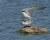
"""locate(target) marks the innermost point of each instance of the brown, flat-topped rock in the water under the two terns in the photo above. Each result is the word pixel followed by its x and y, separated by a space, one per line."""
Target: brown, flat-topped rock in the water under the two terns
pixel 34 29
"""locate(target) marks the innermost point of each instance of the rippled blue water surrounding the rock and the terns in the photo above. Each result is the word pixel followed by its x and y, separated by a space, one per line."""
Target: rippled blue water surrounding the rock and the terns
pixel 10 19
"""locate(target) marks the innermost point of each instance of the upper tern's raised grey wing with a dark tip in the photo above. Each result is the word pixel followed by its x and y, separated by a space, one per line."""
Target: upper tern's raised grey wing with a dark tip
pixel 29 11
